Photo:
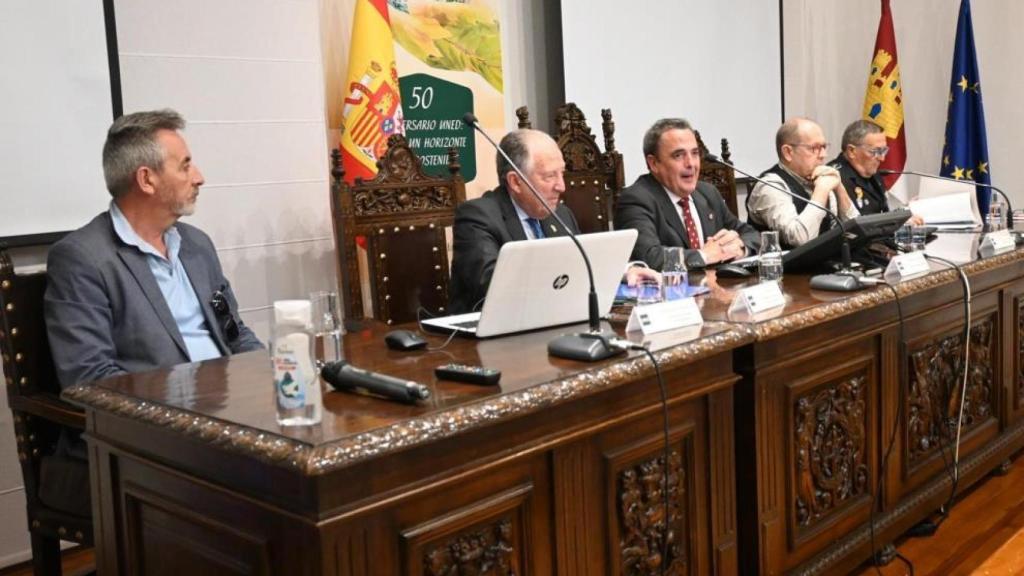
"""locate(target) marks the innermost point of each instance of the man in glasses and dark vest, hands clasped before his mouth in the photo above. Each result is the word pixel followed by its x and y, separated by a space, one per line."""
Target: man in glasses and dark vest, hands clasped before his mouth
pixel 801 147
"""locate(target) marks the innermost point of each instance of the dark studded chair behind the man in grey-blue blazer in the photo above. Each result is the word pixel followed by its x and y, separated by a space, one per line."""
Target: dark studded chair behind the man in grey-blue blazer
pixel 33 394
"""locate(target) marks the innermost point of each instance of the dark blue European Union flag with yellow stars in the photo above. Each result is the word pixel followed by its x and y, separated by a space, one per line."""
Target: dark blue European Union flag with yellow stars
pixel 965 155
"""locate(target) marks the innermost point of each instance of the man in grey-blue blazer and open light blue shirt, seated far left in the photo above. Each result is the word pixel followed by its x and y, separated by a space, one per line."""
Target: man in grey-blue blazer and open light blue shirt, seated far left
pixel 135 290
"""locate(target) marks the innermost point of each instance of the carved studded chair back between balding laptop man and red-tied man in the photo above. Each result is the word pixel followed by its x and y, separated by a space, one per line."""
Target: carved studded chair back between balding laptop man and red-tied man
pixel 593 179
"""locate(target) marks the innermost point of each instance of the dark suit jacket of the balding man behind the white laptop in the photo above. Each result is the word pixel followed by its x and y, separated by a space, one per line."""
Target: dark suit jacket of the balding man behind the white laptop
pixel 482 227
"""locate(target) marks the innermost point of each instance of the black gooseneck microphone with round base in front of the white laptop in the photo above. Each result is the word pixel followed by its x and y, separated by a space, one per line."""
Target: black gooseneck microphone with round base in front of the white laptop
pixel 588 347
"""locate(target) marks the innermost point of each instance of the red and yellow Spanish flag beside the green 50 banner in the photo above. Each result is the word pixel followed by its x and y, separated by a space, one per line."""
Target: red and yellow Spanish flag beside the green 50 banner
pixel 373 104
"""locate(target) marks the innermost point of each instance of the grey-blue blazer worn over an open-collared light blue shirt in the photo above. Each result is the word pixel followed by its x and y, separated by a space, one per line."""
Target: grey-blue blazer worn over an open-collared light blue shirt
pixel 106 314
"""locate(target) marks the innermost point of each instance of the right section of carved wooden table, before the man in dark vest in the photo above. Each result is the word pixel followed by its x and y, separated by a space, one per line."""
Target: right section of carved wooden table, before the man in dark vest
pixel 832 379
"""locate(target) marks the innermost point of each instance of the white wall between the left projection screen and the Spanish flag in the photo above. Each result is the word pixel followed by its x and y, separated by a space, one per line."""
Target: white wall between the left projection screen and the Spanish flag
pixel 247 76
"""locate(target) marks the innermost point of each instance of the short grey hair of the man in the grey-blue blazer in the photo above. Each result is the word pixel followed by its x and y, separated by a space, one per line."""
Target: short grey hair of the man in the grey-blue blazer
pixel 132 144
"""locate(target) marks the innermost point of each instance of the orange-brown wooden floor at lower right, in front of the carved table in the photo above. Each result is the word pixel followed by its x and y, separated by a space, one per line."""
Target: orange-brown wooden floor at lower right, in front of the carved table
pixel 984 537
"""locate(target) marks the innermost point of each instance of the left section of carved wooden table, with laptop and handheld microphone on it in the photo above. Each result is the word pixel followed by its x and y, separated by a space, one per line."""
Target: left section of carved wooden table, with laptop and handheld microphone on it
pixel 557 471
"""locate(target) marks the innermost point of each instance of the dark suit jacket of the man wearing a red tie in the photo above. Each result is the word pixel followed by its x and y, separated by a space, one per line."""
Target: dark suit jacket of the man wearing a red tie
pixel 647 208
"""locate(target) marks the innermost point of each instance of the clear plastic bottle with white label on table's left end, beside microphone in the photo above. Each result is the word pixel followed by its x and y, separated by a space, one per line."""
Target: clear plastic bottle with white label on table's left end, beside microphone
pixel 296 381
